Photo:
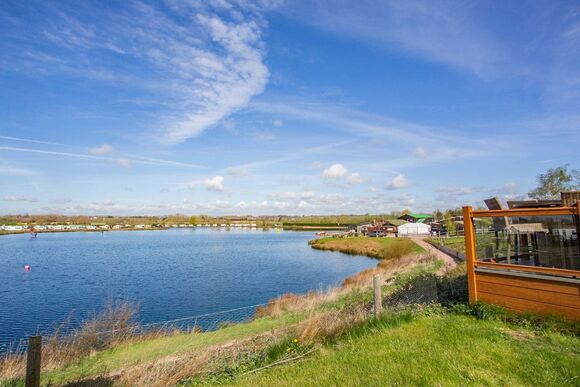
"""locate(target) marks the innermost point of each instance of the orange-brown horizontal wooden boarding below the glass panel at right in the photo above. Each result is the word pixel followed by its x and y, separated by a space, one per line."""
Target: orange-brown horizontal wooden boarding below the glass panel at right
pixel 521 294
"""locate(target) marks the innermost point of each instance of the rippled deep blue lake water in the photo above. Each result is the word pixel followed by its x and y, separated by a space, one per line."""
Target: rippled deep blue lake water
pixel 171 274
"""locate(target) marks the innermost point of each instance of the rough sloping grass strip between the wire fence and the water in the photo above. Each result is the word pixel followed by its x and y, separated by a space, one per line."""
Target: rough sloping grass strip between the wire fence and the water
pixel 132 357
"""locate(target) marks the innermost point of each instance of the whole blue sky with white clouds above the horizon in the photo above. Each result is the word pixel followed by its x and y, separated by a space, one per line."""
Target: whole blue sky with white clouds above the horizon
pixel 273 107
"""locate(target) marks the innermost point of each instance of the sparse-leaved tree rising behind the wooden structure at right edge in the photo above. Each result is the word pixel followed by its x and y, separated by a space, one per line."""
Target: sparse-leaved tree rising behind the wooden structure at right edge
pixel 554 181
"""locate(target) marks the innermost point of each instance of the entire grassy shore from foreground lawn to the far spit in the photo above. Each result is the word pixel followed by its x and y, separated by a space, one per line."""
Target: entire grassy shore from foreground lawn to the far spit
pixel 331 338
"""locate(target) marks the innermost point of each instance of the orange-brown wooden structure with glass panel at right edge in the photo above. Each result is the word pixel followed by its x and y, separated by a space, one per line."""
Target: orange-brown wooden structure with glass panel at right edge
pixel 530 259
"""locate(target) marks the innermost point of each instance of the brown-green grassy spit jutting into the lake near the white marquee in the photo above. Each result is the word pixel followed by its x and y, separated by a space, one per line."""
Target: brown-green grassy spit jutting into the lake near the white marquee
pixel 380 248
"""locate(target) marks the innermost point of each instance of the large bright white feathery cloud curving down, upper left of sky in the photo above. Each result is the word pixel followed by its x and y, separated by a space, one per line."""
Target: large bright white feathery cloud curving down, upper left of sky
pixel 219 79
